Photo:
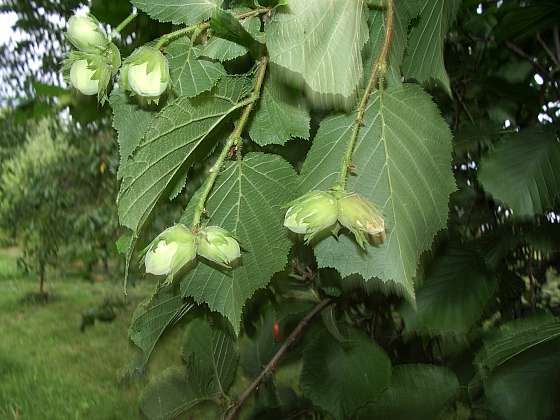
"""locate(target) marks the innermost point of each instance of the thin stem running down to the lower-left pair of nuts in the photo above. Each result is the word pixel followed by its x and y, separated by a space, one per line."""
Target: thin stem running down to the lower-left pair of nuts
pixel 233 139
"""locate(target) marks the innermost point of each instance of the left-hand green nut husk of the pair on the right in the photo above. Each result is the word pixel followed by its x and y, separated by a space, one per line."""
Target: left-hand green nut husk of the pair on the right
pixel 312 213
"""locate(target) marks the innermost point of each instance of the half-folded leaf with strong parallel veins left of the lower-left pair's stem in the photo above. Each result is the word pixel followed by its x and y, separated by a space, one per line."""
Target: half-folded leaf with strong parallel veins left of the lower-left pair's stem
pixel 171 143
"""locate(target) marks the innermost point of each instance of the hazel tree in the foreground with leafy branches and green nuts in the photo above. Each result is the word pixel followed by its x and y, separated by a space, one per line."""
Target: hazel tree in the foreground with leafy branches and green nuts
pixel 224 91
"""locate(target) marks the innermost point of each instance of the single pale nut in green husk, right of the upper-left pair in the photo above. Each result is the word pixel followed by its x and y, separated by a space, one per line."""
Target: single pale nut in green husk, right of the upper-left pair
pixel 146 73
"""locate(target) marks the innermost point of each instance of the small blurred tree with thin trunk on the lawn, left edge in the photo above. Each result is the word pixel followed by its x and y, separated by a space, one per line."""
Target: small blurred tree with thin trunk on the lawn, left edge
pixel 31 199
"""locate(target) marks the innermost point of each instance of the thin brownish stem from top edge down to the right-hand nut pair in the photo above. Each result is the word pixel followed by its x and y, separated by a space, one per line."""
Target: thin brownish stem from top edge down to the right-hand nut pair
pixel 379 66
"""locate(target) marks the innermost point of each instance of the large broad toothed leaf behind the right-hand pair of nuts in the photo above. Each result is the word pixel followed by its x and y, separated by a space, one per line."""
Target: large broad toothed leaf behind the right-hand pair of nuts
pixel 403 165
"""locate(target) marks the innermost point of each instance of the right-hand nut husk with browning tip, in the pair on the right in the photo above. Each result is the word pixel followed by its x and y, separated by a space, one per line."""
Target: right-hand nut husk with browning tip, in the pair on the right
pixel 361 217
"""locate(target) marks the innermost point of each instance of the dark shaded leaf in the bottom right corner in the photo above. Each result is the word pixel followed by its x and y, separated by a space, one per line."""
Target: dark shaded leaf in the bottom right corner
pixel 520 367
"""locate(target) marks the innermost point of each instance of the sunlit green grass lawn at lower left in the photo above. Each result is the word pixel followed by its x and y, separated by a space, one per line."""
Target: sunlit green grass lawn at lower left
pixel 49 369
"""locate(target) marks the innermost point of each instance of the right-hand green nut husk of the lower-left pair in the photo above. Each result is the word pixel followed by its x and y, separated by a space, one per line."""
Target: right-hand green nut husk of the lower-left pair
pixel 218 245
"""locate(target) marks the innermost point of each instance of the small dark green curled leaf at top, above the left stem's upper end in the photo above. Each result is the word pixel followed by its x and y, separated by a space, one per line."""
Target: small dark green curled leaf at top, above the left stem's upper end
pixel 226 26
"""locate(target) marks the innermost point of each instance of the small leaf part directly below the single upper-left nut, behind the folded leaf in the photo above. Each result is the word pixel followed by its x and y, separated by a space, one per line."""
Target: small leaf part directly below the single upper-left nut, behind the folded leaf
pixel 130 121
